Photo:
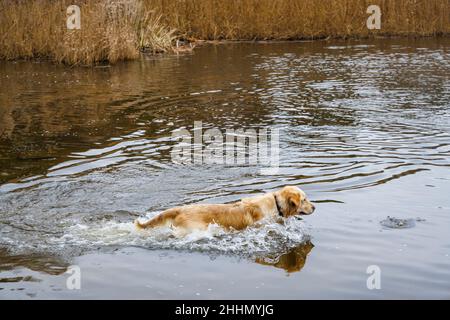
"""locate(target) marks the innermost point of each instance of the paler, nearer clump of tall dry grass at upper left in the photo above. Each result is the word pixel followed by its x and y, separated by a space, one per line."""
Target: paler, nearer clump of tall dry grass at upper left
pixel 111 30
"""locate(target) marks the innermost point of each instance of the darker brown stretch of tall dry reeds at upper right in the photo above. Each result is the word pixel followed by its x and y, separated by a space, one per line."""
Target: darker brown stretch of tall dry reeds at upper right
pixel 301 19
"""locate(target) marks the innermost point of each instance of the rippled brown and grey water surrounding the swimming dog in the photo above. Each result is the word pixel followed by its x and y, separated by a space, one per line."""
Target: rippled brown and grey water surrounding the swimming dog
pixel 364 130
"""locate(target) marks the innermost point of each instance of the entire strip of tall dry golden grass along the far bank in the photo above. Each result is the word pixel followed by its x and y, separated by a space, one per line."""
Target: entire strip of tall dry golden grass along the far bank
pixel 113 30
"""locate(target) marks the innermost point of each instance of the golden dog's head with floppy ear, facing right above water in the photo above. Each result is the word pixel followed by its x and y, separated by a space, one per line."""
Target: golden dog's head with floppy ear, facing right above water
pixel 293 201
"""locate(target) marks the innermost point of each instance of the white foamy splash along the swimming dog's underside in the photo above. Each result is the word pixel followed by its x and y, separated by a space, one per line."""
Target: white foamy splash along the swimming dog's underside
pixel 264 238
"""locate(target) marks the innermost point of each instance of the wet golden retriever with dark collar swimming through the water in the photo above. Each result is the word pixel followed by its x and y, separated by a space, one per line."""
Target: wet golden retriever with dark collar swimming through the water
pixel 288 201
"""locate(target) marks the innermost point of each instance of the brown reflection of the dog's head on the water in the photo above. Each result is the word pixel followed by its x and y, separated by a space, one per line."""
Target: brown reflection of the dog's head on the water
pixel 292 261
